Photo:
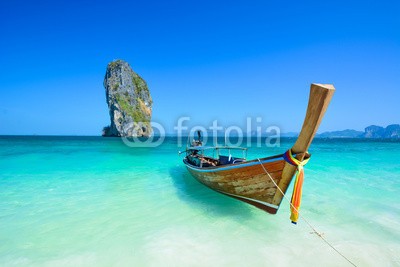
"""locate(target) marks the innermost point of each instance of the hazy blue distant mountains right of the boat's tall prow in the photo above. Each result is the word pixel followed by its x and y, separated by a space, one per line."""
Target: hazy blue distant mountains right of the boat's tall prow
pixel 390 132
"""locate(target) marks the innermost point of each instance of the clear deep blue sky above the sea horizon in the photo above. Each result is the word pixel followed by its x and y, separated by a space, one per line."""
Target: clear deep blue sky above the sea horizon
pixel 209 60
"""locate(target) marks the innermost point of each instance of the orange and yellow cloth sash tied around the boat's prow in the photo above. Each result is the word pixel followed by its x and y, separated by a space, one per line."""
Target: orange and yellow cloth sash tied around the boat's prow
pixel 298 184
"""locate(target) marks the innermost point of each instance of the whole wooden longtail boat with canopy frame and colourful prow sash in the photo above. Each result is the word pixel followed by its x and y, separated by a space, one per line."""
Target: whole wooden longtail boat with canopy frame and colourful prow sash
pixel 261 182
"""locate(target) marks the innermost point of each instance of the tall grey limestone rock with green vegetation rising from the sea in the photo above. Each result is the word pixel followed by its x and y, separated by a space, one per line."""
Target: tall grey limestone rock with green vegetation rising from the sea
pixel 129 101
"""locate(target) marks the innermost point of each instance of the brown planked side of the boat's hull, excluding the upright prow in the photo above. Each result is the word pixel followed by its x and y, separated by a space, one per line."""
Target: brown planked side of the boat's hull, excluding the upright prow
pixel 245 181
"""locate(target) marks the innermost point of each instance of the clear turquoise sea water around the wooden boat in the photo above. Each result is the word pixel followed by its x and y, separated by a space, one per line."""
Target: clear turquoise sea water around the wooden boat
pixel 92 201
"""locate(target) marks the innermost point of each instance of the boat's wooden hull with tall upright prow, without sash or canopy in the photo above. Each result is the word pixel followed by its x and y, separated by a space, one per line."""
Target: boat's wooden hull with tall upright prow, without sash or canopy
pixel 248 181
